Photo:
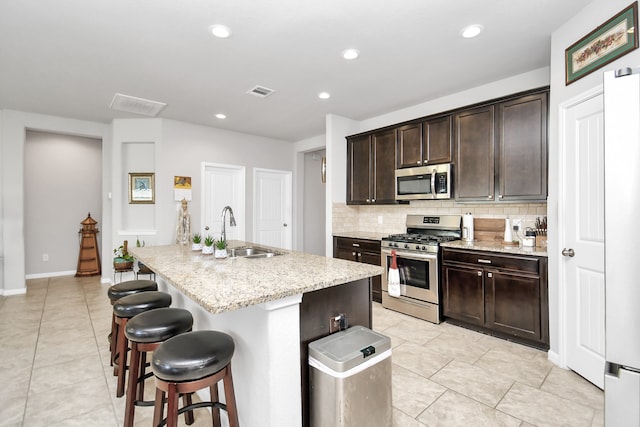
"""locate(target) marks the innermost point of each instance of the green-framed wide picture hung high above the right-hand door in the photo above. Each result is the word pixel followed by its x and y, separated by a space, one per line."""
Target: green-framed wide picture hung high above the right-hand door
pixel 611 40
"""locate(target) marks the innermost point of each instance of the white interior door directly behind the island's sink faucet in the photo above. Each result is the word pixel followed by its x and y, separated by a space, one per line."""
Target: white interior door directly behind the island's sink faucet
pixel 223 185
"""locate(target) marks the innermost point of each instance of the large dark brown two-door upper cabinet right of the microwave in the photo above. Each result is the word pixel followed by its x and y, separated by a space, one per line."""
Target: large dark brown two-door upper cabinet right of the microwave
pixel 501 150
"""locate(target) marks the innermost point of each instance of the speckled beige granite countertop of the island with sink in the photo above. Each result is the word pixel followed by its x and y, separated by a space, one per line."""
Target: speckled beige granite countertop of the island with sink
pixel 221 285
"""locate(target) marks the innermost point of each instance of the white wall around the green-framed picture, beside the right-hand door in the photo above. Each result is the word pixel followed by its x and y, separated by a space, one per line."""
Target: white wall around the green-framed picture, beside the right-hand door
pixel 595 14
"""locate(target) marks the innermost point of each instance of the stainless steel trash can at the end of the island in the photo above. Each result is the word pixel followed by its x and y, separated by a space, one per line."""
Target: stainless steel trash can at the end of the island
pixel 350 379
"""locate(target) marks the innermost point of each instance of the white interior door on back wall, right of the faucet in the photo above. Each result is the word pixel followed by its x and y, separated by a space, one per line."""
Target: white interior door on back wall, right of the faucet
pixel 272 208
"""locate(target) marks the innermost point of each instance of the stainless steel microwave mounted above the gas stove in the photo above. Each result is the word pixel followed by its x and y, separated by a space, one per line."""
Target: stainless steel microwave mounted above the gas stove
pixel 424 182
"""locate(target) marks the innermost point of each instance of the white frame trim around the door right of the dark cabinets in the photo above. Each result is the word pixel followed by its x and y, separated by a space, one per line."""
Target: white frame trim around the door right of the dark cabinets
pixel 561 358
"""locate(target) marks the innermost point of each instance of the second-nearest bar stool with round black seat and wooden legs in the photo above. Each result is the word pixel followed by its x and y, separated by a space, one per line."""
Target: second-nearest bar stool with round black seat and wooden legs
pixel 145 332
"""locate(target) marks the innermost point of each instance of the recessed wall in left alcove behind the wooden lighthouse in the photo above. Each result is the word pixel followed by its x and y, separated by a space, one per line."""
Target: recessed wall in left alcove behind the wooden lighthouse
pixel 63 182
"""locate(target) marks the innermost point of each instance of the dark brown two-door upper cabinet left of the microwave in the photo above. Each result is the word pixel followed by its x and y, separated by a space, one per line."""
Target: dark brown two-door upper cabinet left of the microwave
pixel 371 164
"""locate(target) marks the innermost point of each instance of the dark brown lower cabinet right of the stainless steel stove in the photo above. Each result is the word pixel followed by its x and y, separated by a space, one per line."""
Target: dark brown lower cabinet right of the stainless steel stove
pixel 504 295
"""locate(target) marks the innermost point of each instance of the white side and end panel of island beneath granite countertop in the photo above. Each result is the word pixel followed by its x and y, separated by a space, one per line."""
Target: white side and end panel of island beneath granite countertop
pixel 267 341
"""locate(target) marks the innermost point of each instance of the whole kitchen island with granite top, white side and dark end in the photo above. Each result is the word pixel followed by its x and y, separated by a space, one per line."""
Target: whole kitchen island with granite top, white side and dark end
pixel 272 307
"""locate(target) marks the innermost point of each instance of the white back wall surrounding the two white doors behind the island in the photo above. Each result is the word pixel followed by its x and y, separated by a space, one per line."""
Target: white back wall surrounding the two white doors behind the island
pixel 179 149
